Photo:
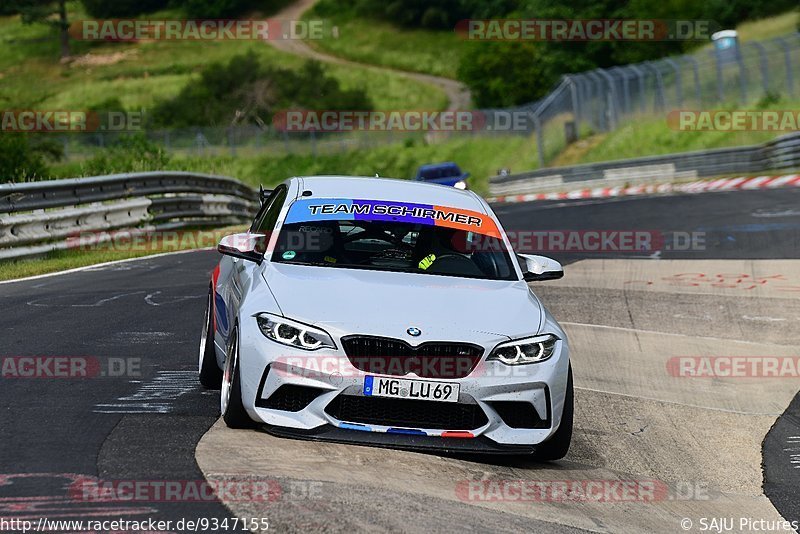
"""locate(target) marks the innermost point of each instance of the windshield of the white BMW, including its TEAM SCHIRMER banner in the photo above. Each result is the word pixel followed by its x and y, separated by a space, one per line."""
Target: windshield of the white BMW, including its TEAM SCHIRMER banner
pixel 390 243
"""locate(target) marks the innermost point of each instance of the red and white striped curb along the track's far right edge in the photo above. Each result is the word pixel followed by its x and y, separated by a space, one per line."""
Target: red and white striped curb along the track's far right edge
pixel 705 186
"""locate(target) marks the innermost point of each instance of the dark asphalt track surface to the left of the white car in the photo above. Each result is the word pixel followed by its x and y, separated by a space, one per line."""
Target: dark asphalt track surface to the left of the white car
pixel 65 428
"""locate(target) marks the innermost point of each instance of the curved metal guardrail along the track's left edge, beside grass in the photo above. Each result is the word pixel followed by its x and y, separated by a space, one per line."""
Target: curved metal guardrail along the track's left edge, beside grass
pixel 38 217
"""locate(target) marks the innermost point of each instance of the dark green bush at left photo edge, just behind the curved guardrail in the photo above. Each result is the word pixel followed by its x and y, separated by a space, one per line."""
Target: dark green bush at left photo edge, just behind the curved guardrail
pixel 23 158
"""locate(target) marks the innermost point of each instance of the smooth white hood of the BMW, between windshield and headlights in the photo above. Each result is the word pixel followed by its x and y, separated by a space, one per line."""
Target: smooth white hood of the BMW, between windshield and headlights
pixel 350 301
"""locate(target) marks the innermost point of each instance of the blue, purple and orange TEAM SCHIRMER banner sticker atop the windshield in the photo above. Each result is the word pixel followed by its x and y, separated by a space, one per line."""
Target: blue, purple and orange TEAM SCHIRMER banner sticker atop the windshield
pixel 308 210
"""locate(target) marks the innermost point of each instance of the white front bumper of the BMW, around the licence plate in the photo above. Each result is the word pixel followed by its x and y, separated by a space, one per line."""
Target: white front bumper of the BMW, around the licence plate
pixel 327 375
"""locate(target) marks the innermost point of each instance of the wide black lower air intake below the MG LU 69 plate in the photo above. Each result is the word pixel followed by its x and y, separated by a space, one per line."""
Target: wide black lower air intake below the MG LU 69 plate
pixel 407 413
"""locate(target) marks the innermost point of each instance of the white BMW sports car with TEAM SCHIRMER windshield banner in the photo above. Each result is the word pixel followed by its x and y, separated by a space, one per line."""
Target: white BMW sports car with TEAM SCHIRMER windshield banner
pixel 390 313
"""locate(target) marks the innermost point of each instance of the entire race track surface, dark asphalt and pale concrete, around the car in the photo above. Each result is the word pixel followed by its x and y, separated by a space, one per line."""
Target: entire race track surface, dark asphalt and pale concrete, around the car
pixel 700 440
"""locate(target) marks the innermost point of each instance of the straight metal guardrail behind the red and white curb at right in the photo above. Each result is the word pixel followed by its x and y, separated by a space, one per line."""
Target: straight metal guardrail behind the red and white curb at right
pixel 780 153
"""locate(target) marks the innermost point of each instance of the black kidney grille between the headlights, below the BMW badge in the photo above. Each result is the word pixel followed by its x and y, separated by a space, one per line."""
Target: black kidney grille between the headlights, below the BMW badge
pixel 433 359
